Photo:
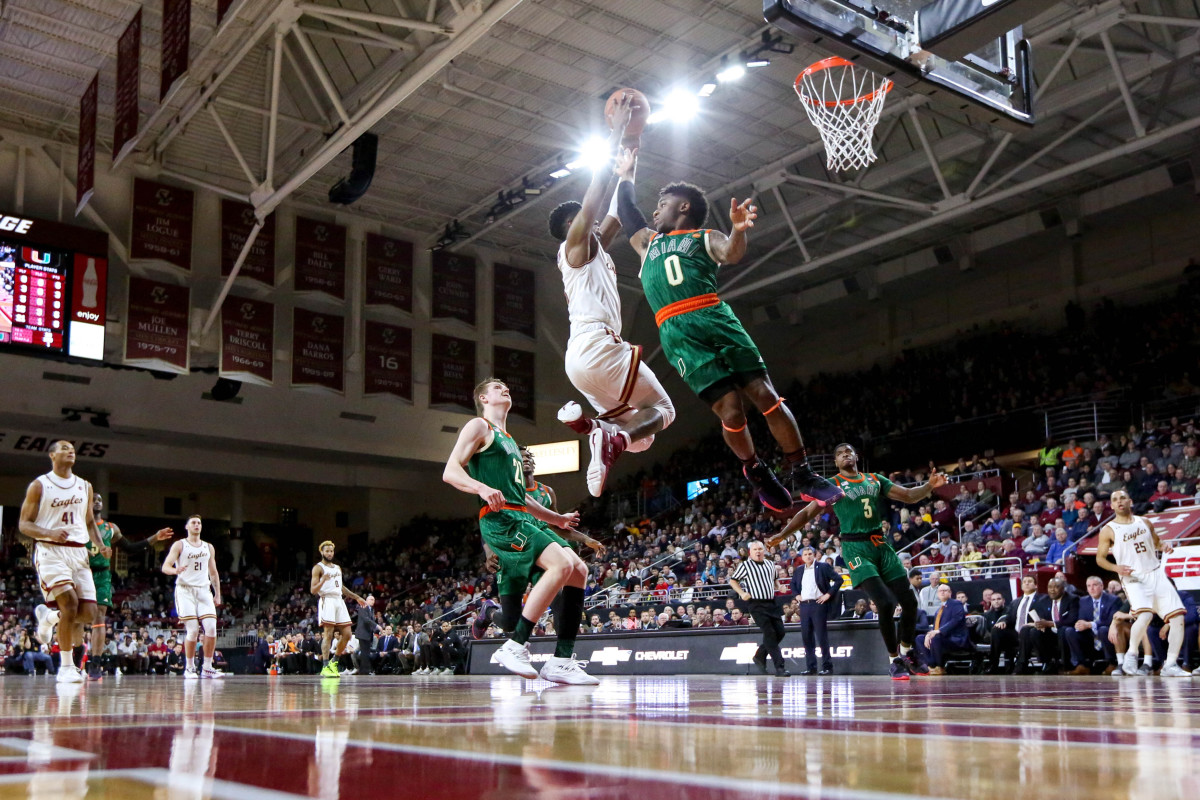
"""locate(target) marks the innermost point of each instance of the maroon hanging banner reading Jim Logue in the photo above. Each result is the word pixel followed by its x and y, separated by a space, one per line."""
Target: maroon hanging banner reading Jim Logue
pixel 163 224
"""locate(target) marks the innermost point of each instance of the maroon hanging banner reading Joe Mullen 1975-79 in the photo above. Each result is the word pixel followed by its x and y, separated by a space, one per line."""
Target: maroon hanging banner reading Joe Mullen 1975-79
pixel 157 327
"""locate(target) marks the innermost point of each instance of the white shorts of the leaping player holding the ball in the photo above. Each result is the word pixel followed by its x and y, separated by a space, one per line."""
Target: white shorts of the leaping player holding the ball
pixel 610 374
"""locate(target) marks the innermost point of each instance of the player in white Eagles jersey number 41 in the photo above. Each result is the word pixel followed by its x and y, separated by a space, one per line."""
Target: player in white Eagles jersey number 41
pixel 57 514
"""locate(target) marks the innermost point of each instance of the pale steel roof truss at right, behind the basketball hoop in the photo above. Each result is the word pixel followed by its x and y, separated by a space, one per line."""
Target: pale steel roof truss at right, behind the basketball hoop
pixel 892 182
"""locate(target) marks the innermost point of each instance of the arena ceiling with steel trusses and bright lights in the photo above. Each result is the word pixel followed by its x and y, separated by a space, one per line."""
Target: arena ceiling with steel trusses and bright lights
pixel 471 99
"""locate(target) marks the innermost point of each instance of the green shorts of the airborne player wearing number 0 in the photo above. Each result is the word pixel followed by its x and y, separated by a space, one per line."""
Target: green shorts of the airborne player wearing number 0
pixel 709 346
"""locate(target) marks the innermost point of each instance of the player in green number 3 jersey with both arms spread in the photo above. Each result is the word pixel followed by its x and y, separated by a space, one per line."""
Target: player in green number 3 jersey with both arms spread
pixel 874 567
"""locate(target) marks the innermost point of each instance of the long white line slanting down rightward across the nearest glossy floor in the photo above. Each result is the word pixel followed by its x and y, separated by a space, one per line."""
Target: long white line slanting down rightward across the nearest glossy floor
pixel 727 784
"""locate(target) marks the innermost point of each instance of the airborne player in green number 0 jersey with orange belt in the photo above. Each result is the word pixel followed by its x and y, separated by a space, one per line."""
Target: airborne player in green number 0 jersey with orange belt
pixel 700 334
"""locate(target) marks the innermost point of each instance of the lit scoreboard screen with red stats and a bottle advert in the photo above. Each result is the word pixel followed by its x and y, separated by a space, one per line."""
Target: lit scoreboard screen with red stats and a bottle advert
pixel 52 294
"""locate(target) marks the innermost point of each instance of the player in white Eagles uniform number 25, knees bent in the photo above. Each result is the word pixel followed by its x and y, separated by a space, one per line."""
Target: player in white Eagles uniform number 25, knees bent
pixel 1133 544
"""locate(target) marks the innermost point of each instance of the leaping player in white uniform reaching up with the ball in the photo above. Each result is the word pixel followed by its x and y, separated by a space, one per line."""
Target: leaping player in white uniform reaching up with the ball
pixel 631 401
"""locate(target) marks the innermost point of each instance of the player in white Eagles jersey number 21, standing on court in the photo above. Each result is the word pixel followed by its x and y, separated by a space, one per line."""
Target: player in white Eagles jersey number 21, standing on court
pixel 195 566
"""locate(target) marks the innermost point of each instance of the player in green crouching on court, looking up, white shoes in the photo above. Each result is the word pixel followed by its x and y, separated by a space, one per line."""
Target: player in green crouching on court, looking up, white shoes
pixel 487 462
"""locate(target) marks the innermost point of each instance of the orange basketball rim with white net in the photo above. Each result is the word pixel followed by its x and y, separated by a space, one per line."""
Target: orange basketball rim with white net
pixel 844 103
